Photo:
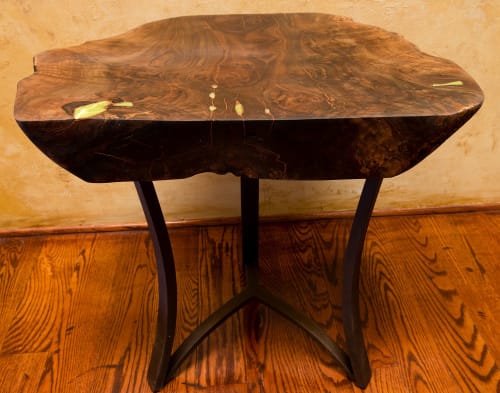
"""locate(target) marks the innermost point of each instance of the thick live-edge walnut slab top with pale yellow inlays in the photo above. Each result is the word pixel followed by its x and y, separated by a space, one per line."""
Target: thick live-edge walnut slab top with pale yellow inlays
pixel 204 76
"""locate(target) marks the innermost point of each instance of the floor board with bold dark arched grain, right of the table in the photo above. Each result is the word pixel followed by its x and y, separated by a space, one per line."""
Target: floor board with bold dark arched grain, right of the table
pixel 467 356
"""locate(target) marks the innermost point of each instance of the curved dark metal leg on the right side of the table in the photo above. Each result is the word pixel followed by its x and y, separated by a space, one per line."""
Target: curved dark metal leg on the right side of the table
pixel 350 290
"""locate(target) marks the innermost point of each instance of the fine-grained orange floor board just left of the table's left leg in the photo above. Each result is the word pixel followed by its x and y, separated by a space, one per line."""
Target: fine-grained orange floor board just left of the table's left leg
pixel 91 351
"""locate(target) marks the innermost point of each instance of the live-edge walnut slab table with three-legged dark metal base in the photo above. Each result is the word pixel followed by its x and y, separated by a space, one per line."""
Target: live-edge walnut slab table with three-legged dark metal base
pixel 285 96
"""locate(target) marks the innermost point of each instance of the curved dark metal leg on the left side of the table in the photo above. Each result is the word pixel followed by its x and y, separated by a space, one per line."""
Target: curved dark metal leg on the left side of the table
pixel 159 364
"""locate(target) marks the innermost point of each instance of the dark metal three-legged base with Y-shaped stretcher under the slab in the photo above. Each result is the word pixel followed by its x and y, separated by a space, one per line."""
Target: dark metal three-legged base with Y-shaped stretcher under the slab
pixel 164 363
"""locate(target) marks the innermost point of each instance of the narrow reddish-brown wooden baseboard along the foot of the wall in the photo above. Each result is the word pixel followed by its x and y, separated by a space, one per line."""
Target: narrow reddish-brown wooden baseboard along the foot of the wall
pixel 141 226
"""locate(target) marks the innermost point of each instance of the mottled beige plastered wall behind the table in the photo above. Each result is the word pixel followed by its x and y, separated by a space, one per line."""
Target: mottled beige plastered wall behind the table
pixel 35 192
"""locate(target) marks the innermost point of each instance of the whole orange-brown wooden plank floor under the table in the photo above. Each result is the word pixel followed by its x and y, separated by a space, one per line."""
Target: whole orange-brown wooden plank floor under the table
pixel 78 310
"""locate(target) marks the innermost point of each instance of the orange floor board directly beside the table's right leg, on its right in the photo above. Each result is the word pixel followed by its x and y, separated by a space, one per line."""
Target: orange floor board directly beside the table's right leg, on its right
pixel 399 318
